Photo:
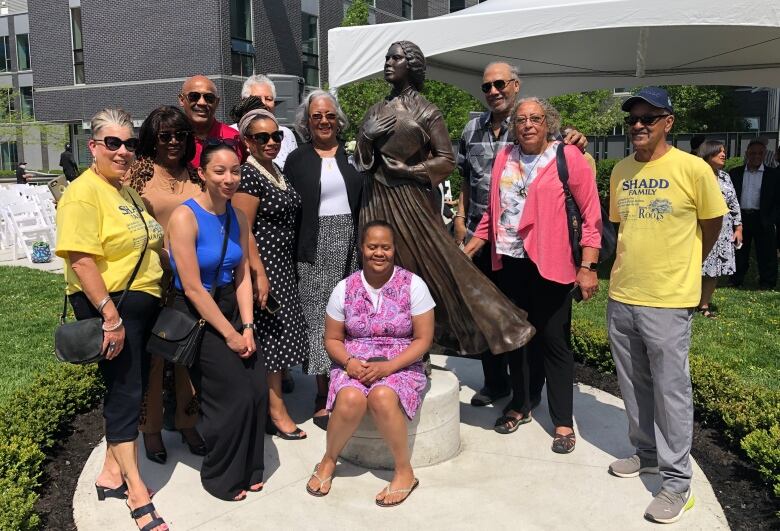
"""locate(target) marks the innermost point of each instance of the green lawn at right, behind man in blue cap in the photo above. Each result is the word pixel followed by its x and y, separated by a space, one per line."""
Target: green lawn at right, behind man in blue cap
pixel 745 337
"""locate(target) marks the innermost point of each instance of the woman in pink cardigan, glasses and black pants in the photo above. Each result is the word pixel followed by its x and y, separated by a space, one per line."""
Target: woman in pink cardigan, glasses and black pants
pixel 526 226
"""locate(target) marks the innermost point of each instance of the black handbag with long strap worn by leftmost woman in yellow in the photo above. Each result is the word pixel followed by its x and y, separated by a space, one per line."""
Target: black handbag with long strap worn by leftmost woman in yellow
pixel 81 342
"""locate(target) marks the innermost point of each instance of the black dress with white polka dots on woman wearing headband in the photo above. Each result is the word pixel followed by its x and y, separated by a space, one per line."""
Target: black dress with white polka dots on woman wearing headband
pixel 282 337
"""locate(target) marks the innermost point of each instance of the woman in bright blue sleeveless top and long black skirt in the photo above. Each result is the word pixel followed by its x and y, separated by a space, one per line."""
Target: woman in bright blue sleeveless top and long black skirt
pixel 228 375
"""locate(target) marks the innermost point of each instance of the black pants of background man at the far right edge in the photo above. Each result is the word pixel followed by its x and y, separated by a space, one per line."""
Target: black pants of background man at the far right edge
pixel 766 249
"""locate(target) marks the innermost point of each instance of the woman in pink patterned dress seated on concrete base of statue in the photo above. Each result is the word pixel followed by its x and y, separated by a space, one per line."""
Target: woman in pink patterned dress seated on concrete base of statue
pixel 379 324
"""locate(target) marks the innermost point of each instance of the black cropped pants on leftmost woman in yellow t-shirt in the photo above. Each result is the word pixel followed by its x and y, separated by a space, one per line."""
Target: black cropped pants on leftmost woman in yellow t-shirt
pixel 126 375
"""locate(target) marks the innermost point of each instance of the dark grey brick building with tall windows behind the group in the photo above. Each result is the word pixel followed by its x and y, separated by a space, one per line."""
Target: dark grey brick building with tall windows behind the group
pixel 136 55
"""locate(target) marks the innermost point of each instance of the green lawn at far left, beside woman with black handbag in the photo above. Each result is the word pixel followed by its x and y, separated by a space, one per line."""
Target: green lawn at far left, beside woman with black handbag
pixel 30 302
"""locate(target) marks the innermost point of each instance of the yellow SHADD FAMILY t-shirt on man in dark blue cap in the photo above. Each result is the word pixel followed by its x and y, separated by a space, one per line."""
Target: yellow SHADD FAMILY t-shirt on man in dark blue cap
pixel 658 205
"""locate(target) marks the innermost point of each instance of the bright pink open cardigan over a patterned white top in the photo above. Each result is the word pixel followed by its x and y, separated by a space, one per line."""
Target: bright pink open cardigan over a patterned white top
pixel 543 226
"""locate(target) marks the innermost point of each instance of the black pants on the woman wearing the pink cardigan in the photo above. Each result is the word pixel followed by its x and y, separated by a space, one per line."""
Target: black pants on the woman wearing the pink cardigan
pixel 547 356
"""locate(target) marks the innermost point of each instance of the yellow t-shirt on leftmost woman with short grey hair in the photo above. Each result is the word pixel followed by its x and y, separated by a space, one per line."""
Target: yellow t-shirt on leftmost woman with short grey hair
pixel 94 217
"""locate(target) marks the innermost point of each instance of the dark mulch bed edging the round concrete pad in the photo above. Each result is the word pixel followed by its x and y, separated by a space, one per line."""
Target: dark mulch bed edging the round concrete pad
pixel 747 501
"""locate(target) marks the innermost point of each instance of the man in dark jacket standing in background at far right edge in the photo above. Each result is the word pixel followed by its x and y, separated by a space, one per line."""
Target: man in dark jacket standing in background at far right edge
pixel 758 190
